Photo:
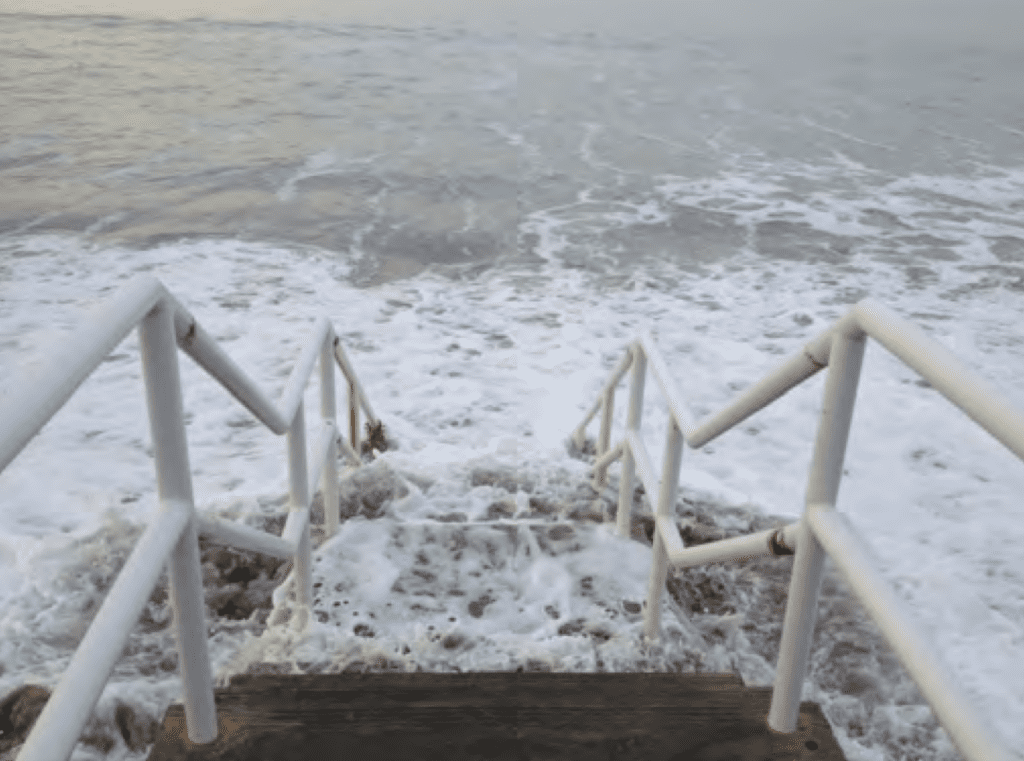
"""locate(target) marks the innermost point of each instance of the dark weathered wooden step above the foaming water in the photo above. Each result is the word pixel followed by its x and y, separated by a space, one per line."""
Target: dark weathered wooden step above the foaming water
pixel 498 716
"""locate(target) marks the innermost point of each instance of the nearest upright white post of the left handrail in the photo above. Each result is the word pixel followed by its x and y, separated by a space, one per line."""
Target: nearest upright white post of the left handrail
pixel 163 393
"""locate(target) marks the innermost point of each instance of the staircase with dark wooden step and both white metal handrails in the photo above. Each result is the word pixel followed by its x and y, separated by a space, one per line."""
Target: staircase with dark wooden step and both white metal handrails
pixel 486 715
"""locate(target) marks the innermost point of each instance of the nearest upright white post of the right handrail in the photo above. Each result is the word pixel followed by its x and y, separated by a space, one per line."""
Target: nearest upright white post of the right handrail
pixel 827 471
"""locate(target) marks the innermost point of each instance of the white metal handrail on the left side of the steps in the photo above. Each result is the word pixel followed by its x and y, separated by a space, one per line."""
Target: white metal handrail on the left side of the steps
pixel 172 537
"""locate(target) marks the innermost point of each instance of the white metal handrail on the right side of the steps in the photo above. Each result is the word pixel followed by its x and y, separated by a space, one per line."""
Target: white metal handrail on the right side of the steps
pixel 822 529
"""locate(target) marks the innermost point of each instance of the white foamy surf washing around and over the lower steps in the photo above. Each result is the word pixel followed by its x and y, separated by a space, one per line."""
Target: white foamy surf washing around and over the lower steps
pixel 500 369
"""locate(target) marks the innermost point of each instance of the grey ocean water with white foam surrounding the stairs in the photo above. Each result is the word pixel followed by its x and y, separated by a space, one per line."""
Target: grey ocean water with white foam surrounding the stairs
pixel 489 204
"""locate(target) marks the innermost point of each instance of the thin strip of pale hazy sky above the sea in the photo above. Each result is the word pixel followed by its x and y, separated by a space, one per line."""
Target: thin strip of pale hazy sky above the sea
pixel 968 21
